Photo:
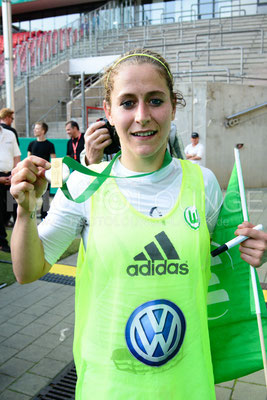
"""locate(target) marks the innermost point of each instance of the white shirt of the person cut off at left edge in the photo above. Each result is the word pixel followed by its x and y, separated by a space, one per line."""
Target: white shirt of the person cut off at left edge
pixel 8 150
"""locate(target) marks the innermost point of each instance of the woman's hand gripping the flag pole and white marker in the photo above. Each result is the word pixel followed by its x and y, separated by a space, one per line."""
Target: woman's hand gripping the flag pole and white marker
pixel 253 248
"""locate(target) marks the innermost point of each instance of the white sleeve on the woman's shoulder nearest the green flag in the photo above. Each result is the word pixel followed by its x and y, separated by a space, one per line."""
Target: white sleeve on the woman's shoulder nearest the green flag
pixel 214 198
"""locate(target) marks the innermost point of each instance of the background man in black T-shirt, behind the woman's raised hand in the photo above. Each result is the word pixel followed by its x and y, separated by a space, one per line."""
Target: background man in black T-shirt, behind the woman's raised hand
pixel 41 147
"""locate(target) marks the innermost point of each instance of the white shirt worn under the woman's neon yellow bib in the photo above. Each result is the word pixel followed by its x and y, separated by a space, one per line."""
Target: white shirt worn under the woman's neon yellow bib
pixel 153 195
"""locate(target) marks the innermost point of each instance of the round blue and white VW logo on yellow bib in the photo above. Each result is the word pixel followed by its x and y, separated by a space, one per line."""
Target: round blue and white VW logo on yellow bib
pixel 155 332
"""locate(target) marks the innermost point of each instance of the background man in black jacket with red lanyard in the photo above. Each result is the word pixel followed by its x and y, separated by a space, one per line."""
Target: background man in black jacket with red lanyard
pixel 76 143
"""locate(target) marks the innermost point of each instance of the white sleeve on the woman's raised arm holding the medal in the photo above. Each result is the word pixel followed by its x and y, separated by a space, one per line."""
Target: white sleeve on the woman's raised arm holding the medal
pixel 65 221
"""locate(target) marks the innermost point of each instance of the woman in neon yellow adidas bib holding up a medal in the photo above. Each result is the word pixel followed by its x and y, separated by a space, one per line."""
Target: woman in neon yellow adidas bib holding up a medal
pixel 143 269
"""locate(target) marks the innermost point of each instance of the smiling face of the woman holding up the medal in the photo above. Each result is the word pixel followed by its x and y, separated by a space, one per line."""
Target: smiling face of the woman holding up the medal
pixel 141 111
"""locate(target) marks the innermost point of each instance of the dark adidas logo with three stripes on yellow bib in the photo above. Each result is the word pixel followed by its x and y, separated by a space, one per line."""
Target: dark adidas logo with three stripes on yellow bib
pixel 156 262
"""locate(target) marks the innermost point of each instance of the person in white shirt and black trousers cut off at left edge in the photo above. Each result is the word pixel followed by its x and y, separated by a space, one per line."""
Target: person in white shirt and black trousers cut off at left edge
pixel 9 158
